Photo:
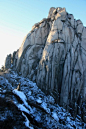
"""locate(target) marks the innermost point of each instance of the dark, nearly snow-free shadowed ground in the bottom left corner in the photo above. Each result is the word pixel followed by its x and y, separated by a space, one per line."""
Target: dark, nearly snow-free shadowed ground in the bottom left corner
pixel 10 116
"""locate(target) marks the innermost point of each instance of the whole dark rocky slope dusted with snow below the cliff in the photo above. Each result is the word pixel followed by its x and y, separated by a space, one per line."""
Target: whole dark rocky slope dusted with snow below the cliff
pixel 29 108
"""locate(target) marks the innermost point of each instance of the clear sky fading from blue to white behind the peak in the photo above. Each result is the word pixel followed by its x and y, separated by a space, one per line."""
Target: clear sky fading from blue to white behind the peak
pixel 18 16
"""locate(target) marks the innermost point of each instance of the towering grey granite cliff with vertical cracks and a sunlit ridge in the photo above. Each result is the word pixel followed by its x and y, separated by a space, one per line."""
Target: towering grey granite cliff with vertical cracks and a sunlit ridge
pixel 53 55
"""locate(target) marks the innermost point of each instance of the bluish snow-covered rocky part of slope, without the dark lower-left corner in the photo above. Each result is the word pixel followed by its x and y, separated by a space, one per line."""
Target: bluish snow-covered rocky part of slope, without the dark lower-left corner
pixel 55 115
